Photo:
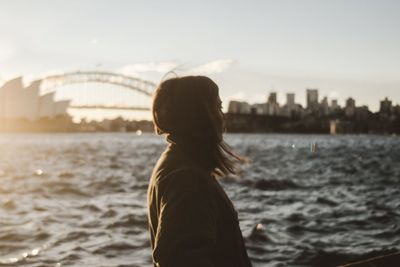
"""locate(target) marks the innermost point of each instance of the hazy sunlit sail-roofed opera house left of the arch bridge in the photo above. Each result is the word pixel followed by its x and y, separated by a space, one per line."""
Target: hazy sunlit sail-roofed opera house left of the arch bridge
pixel 19 102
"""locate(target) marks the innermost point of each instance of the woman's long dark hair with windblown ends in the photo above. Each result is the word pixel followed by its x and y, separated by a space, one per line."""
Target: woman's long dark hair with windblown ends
pixel 188 110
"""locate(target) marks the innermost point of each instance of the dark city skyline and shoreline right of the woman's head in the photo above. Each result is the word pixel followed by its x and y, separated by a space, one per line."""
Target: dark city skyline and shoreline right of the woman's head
pixel 319 116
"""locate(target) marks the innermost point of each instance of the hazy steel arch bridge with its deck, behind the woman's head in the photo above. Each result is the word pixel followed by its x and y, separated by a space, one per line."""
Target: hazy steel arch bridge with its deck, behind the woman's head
pixel 146 88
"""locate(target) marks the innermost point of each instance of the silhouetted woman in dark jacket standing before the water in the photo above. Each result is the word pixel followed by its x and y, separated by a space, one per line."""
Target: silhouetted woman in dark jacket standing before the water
pixel 192 222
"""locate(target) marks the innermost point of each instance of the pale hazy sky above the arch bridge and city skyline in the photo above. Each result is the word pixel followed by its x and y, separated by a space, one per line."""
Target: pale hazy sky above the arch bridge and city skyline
pixel 343 47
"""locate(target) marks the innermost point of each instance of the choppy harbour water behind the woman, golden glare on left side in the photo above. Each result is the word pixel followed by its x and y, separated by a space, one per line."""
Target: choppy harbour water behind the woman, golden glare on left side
pixel 80 199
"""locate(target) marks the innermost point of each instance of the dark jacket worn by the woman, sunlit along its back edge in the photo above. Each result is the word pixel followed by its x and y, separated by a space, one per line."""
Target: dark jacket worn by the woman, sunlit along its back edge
pixel 192 222
